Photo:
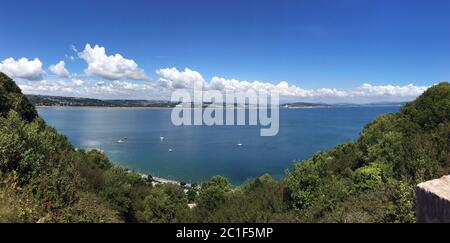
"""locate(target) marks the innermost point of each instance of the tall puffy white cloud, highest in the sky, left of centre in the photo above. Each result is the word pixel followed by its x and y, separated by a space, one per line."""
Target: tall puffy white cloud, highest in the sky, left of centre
pixel 112 67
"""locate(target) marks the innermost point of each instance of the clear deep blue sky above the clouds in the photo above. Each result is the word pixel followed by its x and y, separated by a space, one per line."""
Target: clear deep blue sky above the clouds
pixel 339 44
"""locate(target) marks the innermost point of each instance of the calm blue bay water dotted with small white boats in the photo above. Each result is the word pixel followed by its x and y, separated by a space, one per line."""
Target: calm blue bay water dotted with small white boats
pixel 202 152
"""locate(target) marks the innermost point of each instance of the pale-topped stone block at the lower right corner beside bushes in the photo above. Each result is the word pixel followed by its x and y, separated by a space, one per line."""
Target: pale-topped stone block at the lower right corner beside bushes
pixel 433 201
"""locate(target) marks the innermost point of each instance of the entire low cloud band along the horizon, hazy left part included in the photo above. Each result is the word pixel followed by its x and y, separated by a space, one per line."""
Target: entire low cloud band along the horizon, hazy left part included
pixel 172 78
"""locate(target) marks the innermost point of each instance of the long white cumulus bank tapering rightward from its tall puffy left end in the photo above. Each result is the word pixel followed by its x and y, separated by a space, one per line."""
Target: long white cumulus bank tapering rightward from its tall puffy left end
pixel 172 78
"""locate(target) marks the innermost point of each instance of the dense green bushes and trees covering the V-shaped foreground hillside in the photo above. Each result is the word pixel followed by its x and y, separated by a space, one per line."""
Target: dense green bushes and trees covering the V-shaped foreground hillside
pixel 44 179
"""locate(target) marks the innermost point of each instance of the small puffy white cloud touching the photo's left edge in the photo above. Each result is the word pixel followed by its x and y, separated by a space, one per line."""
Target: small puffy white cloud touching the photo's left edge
pixel 23 68
